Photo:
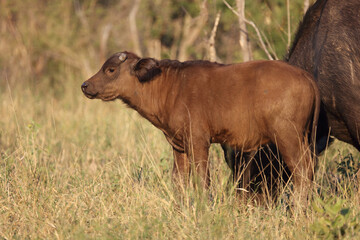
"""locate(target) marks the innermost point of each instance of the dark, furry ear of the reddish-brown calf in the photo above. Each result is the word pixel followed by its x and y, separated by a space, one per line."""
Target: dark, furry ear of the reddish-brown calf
pixel 146 69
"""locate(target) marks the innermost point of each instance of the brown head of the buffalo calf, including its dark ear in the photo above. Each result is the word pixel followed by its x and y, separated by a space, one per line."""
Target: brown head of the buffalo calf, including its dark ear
pixel 120 76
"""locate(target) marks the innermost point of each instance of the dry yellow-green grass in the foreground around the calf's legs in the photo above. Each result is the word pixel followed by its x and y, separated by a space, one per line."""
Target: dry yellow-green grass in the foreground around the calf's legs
pixel 72 168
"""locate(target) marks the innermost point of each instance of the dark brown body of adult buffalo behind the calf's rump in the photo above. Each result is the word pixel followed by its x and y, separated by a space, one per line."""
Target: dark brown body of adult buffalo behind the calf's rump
pixel 327 46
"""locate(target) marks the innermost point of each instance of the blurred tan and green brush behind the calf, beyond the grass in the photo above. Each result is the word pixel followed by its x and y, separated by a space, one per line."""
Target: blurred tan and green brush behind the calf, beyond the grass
pixel 42 41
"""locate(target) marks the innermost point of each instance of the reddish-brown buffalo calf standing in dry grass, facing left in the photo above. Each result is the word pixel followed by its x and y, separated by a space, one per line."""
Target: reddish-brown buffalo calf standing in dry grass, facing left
pixel 197 103
